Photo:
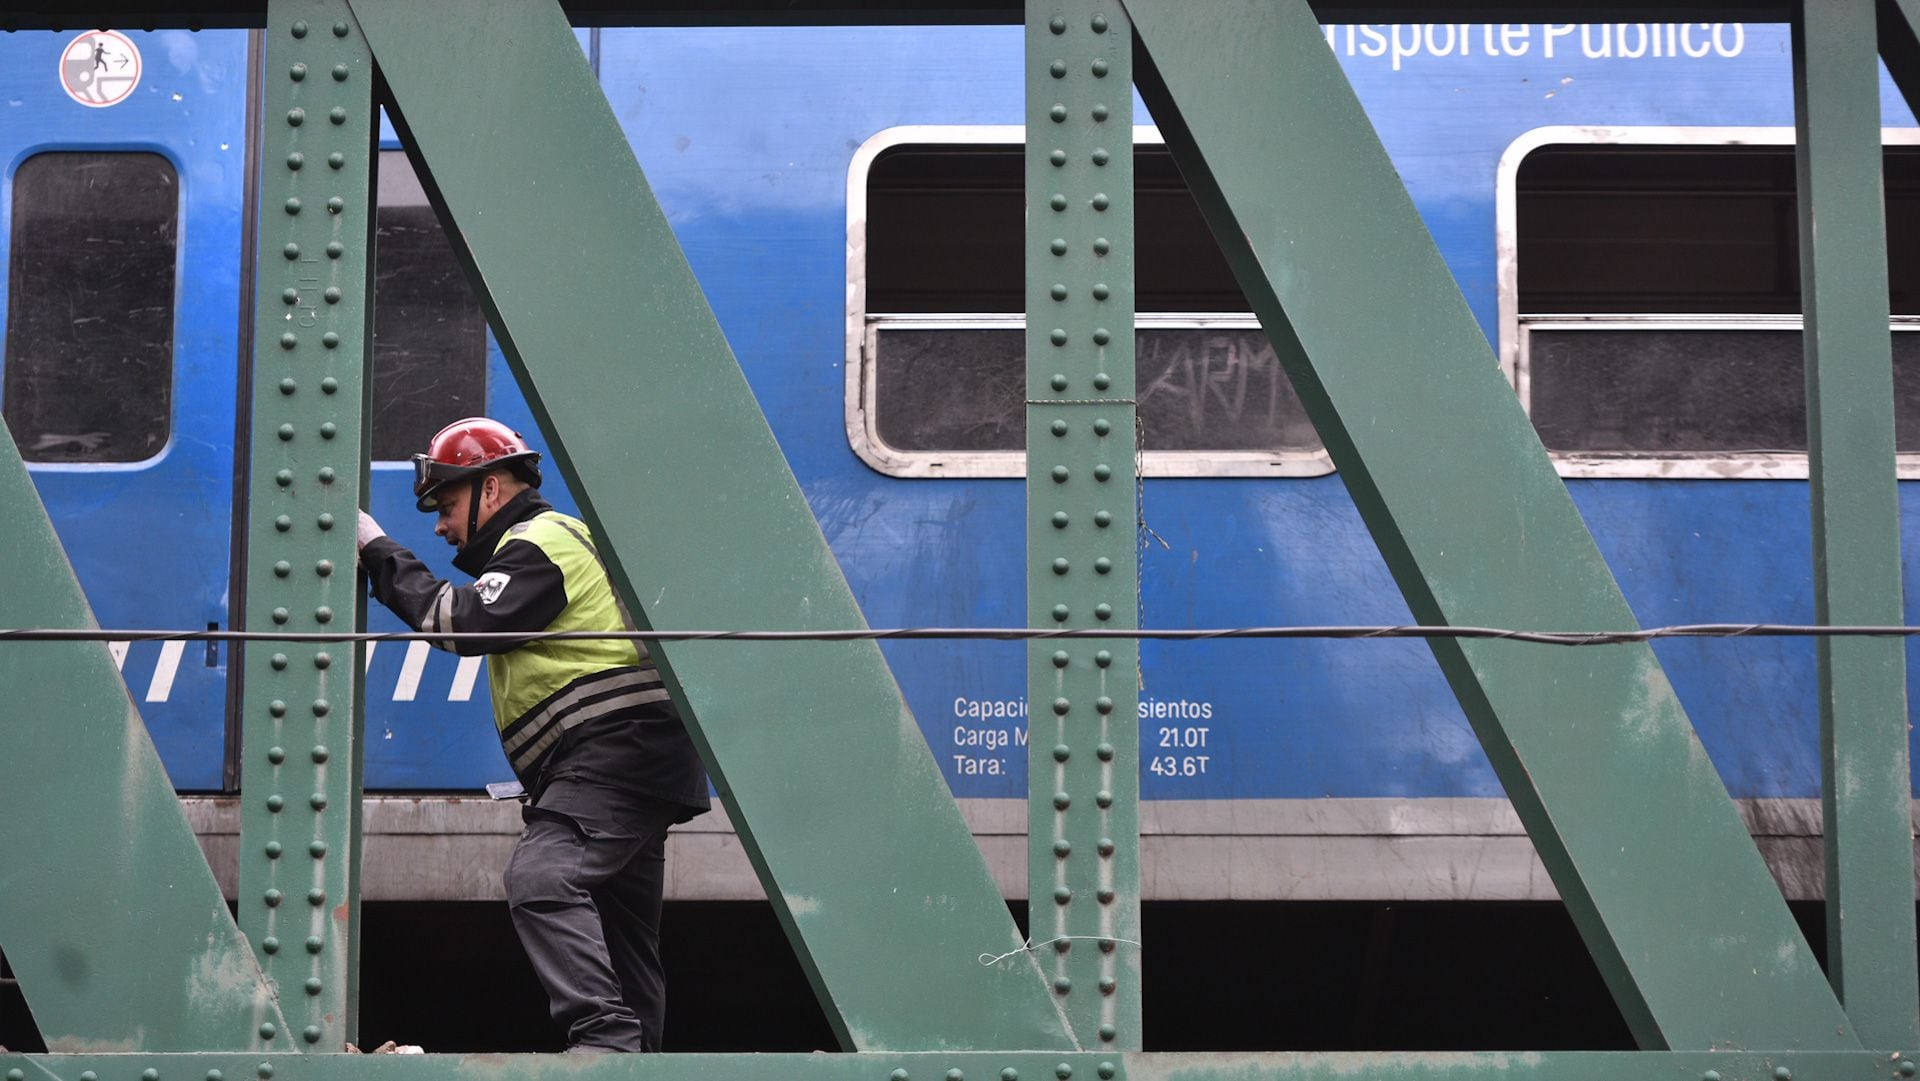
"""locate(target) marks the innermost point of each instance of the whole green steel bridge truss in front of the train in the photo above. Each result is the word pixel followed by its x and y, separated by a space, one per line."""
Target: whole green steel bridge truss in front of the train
pixel 135 971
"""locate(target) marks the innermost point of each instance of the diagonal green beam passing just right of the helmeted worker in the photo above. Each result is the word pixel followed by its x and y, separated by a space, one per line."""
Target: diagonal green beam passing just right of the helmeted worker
pixel 832 786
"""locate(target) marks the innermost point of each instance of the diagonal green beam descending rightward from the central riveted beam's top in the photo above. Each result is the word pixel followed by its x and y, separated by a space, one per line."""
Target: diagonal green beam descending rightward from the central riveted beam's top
pixel 1593 748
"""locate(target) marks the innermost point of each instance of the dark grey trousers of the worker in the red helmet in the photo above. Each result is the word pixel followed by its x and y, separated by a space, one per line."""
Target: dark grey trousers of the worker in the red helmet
pixel 585 894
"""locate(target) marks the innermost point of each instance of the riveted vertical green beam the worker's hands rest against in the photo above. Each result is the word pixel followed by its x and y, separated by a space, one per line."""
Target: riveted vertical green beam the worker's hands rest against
pixel 300 769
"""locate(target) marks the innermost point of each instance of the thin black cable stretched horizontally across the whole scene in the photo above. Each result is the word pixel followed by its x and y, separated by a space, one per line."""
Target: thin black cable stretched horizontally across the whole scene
pixel 990 635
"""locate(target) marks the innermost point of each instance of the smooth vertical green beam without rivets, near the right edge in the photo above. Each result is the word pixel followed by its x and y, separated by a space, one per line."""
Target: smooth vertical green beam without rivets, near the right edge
pixel 1867 790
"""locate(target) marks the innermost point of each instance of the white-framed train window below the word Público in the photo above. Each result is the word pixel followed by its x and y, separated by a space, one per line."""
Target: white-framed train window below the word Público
pixel 1654 306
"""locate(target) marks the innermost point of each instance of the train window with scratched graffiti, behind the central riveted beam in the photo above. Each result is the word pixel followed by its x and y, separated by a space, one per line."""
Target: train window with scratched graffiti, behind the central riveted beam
pixel 936 377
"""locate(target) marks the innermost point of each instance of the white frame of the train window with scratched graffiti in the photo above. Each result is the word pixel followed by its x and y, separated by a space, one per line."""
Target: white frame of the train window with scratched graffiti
pixel 863 329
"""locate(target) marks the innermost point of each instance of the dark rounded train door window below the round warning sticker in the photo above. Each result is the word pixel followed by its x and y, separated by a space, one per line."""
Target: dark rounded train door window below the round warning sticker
pixel 89 324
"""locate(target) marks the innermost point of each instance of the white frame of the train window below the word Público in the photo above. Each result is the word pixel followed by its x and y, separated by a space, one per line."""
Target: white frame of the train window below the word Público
pixel 1516 329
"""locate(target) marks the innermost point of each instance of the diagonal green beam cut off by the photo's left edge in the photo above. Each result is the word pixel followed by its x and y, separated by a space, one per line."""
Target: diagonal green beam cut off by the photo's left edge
pixel 108 913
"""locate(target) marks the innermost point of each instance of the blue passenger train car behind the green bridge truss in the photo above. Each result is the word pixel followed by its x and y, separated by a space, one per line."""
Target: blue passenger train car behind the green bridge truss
pixel 1614 201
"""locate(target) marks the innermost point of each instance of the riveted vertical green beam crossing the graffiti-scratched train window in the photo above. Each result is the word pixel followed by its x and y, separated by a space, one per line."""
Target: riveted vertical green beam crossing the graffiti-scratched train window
pixel 1084 750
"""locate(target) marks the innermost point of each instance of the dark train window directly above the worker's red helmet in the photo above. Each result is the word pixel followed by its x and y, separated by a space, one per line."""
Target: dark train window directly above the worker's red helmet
pixel 429 335
